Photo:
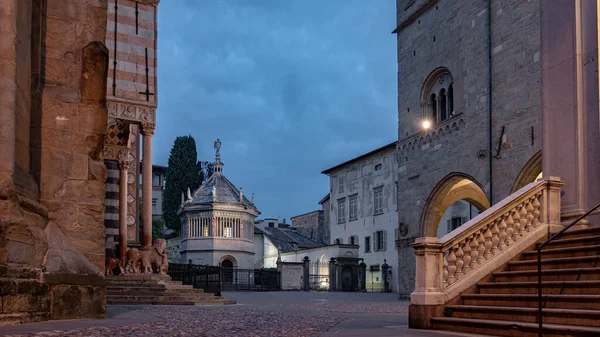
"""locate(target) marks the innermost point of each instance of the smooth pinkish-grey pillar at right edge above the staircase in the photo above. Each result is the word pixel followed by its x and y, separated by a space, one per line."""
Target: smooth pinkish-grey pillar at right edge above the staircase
pixel 571 142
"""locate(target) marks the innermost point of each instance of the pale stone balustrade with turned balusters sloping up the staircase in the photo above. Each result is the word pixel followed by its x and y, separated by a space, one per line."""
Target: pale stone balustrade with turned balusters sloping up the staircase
pixel 448 266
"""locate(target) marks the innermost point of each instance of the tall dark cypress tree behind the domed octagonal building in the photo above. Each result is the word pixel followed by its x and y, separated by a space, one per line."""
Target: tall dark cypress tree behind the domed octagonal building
pixel 182 173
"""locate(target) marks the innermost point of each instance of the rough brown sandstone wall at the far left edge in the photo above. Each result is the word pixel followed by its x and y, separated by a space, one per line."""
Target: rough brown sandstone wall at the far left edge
pixel 53 78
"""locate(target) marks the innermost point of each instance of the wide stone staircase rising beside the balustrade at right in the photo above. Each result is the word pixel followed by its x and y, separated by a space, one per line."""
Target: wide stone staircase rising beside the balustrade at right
pixel 505 303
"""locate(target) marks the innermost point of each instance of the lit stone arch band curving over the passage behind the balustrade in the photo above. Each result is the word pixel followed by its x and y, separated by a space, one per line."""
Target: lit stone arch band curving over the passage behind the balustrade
pixel 455 186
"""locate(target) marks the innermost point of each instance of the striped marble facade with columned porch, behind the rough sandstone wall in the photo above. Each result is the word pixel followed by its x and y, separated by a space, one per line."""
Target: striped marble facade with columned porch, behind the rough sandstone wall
pixel 131 99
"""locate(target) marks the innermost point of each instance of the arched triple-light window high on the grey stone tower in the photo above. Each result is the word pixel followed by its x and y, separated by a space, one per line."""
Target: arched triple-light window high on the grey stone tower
pixel 437 96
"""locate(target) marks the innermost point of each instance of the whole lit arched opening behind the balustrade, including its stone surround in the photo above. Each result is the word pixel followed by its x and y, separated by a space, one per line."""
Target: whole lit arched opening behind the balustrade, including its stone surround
pixel 454 200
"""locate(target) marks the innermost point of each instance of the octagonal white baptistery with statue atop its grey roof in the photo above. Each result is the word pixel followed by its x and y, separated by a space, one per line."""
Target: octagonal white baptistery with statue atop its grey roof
pixel 217 223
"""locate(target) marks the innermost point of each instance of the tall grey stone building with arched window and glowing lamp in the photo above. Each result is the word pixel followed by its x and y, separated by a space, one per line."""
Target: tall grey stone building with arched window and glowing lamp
pixel 471 70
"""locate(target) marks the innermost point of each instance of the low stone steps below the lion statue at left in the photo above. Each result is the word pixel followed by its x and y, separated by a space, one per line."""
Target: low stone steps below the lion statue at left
pixel 156 290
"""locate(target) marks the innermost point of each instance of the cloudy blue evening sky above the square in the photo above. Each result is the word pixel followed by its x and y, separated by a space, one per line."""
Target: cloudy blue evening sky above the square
pixel 291 87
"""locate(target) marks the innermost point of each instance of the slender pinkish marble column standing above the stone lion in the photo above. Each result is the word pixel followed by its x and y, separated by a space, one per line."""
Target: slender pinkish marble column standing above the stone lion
pixel 147 133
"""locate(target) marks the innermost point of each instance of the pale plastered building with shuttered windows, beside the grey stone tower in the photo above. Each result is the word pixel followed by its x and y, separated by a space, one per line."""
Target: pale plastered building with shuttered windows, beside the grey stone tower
pixel 363 210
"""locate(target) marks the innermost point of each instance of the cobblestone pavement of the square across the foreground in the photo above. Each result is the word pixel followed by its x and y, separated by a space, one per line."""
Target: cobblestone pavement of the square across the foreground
pixel 256 314
